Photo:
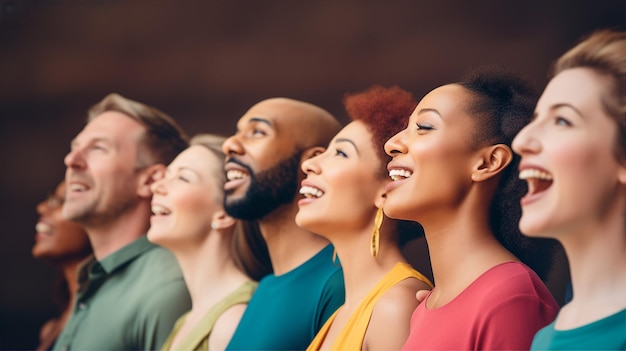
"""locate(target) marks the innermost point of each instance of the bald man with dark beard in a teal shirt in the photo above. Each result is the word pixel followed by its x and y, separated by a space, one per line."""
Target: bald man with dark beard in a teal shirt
pixel 263 169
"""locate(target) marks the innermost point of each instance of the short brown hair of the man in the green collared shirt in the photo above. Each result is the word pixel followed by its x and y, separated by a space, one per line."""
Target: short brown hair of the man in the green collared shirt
pixel 163 139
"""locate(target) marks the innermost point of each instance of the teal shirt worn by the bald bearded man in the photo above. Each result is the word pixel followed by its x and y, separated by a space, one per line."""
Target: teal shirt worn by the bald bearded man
pixel 286 311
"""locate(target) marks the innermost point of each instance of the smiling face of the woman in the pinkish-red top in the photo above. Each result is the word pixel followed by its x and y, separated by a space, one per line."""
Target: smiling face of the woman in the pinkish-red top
pixel 432 157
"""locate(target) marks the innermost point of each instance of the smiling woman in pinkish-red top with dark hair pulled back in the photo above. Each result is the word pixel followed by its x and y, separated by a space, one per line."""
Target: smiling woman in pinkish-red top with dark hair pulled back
pixel 454 172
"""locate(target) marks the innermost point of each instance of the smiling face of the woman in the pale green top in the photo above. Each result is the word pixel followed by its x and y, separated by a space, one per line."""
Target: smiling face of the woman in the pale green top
pixel 186 198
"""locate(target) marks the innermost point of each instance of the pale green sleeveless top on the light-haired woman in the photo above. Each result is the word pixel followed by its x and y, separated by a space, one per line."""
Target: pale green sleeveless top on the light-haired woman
pixel 198 337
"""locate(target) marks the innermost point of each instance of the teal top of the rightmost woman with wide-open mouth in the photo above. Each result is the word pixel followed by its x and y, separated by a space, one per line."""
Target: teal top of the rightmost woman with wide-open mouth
pixel 605 334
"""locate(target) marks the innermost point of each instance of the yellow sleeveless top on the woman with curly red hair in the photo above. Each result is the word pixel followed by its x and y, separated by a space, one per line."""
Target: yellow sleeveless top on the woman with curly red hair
pixel 351 337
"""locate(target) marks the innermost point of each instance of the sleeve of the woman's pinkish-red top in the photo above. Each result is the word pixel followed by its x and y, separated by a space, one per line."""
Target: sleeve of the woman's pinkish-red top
pixel 512 323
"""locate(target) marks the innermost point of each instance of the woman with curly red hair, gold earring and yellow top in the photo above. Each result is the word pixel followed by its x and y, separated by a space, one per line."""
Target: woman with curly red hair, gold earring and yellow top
pixel 344 194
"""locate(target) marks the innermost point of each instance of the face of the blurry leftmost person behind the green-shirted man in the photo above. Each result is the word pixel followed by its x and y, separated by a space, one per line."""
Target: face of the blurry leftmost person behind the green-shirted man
pixel 58 239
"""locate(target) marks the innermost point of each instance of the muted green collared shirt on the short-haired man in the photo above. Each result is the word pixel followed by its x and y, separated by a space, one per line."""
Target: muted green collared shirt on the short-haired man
pixel 127 301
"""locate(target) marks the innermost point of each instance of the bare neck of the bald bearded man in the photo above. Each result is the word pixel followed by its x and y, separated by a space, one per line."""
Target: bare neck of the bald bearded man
pixel 288 245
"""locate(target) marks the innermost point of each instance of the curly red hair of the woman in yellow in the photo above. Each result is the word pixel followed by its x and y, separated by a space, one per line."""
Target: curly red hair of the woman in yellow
pixel 385 112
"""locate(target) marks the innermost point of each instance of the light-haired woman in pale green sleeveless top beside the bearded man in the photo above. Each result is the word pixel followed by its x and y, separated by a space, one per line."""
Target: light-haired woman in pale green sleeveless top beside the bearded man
pixel 221 258
